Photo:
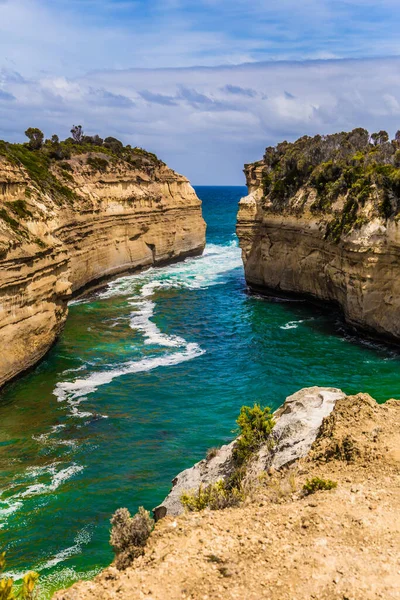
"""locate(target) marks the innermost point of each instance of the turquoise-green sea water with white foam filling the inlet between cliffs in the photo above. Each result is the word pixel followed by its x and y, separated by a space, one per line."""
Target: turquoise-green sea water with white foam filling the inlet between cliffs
pixel 149 372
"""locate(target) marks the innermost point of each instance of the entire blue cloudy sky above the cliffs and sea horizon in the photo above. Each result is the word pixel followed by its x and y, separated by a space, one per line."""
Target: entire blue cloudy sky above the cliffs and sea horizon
pixel 207 85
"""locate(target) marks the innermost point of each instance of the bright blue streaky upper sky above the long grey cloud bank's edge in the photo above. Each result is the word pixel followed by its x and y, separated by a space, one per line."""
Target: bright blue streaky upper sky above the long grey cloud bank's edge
pixel 71 37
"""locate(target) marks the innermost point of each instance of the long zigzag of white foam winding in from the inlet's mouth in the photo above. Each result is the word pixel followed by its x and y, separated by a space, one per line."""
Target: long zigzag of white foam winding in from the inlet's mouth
pixel 211 268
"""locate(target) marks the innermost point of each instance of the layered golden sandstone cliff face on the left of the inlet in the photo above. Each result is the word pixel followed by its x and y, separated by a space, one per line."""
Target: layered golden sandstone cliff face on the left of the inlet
pixel 73 223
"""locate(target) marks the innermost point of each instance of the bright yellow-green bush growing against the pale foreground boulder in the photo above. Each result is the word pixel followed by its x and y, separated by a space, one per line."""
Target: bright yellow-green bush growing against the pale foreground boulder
pixel 255 426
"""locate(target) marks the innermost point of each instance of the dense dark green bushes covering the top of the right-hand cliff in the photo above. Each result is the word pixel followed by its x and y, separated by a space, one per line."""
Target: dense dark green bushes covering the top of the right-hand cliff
pixel 358 167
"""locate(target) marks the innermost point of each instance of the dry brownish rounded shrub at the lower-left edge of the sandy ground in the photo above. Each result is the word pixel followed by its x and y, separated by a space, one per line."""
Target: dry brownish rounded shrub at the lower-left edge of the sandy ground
pixel 129 535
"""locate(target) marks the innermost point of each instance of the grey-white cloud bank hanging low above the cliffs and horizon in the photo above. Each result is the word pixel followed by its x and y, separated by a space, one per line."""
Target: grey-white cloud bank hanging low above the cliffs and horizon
pixel 207 122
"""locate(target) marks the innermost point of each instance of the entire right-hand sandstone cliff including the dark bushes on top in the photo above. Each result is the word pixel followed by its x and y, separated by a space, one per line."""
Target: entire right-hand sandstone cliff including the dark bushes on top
pixel 322 220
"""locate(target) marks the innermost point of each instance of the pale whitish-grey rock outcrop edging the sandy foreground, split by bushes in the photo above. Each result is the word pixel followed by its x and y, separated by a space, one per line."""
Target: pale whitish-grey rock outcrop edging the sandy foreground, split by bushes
pixel 297 423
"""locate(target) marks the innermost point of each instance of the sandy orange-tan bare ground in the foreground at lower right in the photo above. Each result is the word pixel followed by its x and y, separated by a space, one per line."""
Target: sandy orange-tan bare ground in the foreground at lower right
pixel 280 544
